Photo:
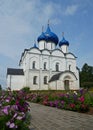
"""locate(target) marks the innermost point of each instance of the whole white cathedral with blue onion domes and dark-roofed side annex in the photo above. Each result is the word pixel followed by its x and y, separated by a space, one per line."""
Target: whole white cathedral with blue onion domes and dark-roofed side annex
pixel 46 66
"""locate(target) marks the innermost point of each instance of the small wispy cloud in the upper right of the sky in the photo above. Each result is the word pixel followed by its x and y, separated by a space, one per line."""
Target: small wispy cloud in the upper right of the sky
pixel 71 10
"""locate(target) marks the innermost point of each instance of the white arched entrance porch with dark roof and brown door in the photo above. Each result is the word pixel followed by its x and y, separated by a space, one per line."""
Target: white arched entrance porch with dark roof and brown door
pixel 66 80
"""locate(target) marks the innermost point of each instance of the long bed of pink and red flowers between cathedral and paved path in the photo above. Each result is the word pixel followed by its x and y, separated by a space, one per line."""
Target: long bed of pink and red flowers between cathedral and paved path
pixel 75 101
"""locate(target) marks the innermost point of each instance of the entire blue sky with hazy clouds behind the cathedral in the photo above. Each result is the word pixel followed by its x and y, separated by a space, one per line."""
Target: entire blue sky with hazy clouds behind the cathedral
pixel 21 23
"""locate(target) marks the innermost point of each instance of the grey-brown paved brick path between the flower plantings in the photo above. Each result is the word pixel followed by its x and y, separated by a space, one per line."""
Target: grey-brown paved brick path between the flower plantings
pixel 48 118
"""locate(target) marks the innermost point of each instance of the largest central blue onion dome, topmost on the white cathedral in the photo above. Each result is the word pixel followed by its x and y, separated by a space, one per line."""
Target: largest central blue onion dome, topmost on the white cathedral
pixel 50 36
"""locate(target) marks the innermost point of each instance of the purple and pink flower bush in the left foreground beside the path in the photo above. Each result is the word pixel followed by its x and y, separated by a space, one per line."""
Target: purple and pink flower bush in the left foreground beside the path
pixel 14 110
